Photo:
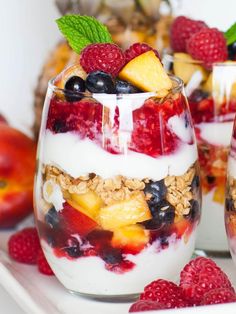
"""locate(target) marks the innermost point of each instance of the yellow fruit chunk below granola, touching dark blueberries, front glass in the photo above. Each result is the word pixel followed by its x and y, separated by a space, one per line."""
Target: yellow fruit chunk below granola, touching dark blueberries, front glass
pixel 124 213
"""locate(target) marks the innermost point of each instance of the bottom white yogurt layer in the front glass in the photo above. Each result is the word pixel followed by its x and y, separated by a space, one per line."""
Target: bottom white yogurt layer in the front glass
pixel 88 274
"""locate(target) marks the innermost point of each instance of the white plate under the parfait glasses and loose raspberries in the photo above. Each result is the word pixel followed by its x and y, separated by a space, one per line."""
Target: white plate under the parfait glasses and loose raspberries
pixel 39 294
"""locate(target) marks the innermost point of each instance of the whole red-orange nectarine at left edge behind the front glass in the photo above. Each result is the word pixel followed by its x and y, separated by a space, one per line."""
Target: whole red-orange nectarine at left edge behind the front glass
pixel 17 166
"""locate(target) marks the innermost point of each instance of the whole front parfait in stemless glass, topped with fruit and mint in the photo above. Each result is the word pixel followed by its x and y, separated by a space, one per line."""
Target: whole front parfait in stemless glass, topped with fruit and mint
pixel 117 191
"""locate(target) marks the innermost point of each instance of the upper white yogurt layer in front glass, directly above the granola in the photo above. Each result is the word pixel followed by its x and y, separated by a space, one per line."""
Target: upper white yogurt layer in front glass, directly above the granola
pixel 78 157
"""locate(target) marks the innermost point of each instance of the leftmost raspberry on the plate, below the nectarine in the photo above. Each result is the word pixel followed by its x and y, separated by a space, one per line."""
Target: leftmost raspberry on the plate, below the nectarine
pixel 24 245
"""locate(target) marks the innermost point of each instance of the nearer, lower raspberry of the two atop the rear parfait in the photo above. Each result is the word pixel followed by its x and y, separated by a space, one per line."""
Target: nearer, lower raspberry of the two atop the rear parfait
pixel 208 46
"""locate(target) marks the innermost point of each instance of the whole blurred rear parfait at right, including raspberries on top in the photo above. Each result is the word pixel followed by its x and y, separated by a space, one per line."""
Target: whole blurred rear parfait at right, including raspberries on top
pixel 204 58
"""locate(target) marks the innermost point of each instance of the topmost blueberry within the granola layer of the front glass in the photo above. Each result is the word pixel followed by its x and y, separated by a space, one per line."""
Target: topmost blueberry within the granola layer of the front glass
pixel 157 190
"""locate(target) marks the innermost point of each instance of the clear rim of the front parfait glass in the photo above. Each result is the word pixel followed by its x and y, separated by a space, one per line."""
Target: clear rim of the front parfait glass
pixel 179 85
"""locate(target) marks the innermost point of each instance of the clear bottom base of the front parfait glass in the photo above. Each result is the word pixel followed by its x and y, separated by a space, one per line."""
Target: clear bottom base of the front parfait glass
pixel 108 298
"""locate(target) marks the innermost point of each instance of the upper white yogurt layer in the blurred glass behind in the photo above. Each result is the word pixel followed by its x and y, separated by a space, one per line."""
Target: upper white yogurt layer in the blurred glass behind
pixel 216 133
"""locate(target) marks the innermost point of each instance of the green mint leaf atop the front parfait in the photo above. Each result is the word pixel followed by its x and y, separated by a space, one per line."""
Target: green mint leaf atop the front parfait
pixel 82 30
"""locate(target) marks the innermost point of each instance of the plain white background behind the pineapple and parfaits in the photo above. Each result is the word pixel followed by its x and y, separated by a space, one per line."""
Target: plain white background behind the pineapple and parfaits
pixel 28 32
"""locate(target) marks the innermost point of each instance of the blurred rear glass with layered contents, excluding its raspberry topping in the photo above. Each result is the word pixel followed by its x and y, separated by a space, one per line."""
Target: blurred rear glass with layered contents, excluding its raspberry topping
pixel 212 99
